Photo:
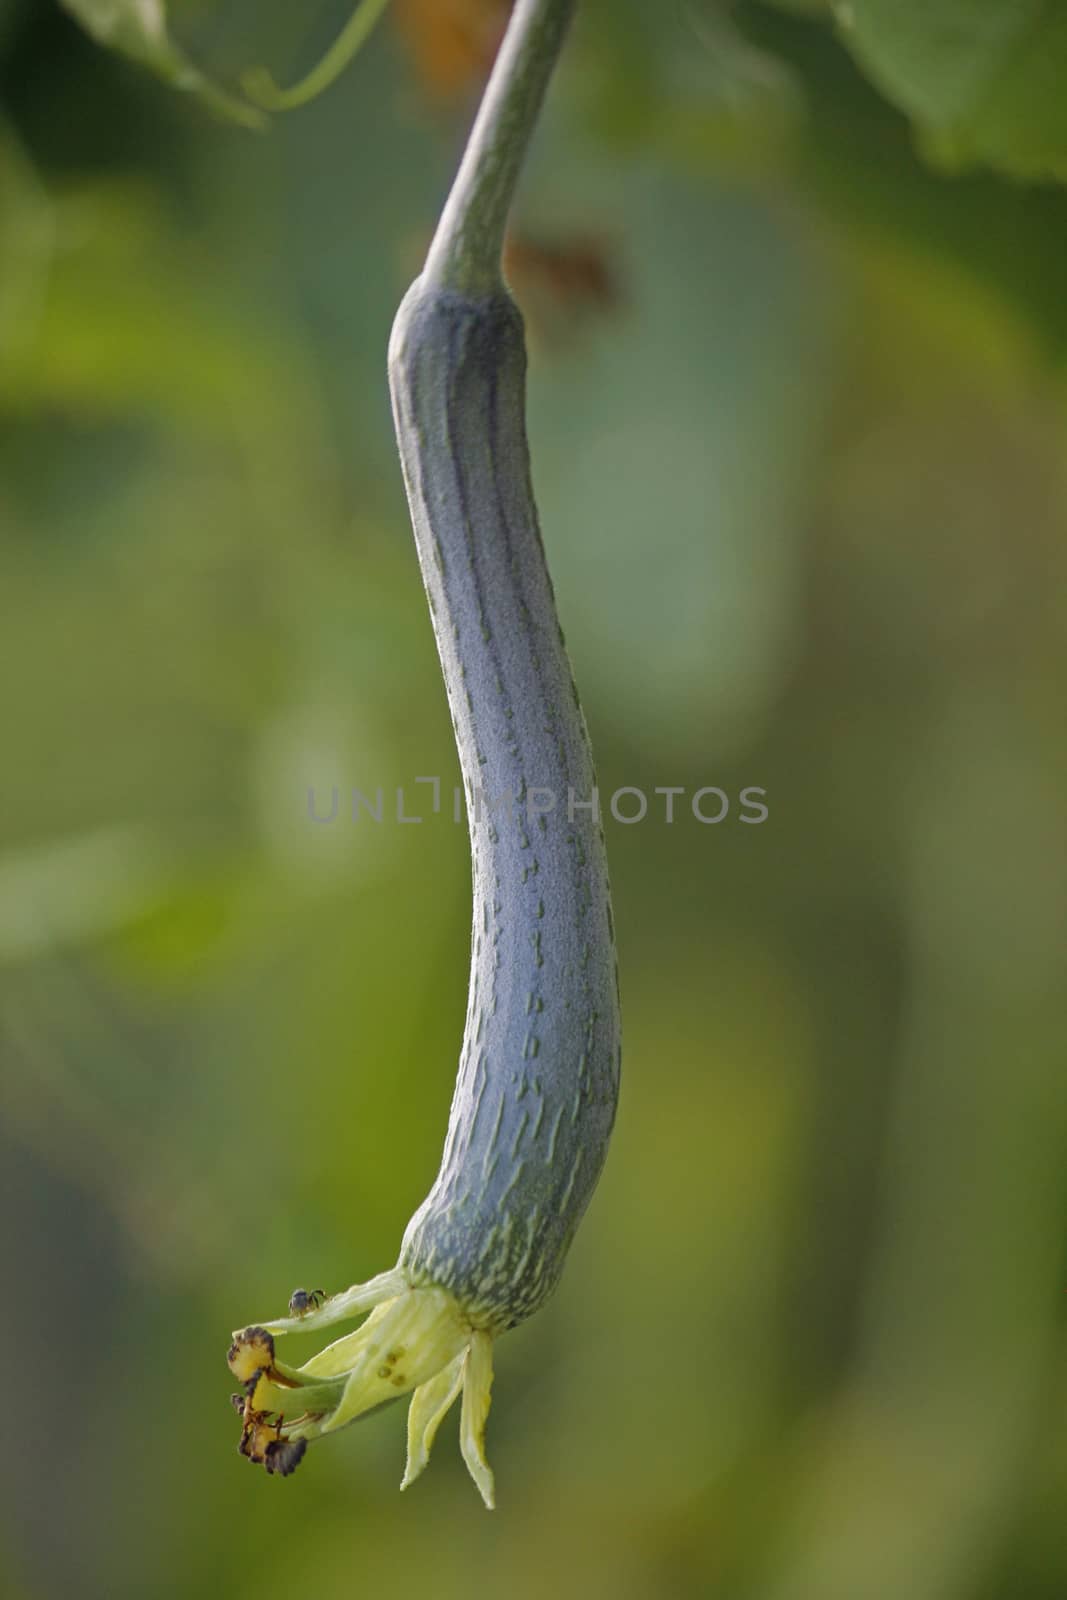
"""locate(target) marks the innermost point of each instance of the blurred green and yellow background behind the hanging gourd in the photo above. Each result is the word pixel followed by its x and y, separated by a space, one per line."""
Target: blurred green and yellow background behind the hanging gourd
pixel 797 417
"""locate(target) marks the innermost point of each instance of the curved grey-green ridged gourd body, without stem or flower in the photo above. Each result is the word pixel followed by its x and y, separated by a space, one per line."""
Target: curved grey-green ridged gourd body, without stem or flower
pixel 540 1068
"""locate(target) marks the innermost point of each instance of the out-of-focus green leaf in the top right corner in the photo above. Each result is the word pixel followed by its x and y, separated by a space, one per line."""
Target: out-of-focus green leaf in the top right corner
pixel 981 79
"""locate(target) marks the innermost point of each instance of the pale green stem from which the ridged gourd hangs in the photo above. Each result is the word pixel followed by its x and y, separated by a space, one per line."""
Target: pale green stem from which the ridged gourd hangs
pixel 470 239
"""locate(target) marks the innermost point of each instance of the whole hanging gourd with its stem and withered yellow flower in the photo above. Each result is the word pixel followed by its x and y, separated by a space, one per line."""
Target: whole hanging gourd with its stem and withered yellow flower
pixel 540 1068
